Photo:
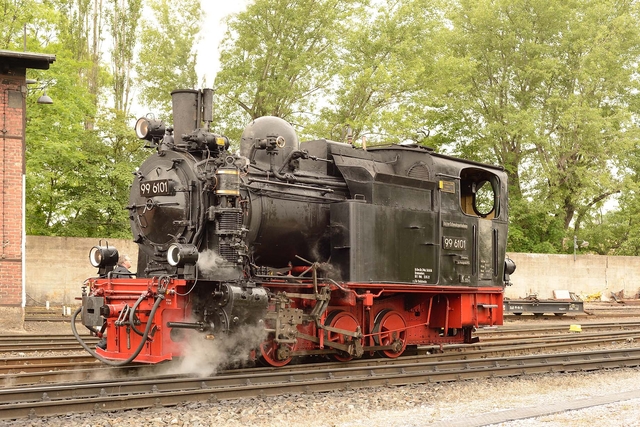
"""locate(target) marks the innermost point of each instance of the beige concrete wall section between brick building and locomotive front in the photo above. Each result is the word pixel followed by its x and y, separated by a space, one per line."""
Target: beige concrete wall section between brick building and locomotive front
pixel 57 267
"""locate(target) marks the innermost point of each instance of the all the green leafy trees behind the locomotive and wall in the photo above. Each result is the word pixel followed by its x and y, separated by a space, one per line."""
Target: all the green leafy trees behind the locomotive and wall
pixel 545 88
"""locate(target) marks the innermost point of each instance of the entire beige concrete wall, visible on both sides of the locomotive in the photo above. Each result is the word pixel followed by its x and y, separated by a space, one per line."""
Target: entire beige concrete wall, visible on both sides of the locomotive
pixel 56 267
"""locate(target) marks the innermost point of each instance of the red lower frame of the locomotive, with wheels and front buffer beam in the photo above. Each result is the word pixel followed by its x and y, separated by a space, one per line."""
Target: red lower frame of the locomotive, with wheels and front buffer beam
pixel 343 321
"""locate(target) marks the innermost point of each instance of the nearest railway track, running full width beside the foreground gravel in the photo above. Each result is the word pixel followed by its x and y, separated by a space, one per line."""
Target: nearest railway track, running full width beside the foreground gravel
pixel 118 394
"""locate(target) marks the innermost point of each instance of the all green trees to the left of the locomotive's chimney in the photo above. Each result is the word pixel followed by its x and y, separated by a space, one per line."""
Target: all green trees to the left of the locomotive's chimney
pixel 82 150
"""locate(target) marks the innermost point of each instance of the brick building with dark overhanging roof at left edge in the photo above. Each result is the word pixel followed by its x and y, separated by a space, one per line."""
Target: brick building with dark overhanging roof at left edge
pixel 13 90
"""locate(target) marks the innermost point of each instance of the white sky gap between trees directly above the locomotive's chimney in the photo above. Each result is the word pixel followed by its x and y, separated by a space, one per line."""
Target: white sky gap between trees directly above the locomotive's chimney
pixel 213 30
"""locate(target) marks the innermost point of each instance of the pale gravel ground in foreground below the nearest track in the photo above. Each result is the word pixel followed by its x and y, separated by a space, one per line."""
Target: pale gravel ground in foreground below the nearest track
pixel 418 405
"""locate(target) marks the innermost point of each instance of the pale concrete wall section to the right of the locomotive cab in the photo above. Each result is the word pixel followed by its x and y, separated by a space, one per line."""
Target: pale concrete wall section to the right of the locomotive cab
pixel 541 274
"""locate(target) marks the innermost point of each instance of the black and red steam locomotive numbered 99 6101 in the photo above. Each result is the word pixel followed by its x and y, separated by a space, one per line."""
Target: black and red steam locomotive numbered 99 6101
pixel 329 249
